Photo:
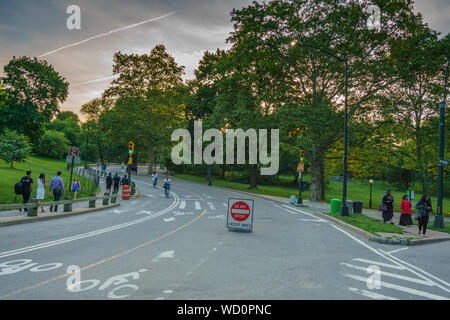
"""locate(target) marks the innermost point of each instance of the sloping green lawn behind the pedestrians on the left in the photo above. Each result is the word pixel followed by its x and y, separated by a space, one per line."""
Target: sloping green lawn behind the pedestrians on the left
pixel 10 176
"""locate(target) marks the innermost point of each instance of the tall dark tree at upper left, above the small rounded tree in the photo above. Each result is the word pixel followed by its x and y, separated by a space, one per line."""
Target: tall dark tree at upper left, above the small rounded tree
pixel 35 90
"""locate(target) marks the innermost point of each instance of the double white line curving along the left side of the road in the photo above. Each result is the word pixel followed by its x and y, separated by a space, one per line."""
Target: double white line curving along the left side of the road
pixel 88 234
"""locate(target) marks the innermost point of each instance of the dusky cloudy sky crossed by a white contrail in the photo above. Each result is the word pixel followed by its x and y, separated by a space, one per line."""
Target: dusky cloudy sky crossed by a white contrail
pixel 84 56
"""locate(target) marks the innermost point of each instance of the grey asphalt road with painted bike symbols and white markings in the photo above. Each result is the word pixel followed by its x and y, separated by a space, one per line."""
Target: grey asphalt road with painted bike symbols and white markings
pixel 179 248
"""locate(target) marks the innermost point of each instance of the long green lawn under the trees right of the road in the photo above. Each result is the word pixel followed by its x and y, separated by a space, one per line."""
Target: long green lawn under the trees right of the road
pixel 356 190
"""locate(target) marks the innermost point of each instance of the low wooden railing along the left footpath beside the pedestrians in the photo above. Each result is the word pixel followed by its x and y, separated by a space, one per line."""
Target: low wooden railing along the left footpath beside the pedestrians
pixel 34 206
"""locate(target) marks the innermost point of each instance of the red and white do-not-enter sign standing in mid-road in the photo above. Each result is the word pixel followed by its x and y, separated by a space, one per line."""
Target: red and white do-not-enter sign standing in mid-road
pixel 240 214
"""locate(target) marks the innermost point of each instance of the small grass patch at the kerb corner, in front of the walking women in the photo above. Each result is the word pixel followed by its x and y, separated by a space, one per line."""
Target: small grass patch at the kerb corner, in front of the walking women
pixel 368 224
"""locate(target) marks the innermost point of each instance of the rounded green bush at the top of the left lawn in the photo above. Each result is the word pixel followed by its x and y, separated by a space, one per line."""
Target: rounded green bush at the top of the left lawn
pixel 54 145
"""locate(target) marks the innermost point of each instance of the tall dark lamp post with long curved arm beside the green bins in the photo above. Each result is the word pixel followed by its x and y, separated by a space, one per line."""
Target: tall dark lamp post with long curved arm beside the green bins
pixel 344 208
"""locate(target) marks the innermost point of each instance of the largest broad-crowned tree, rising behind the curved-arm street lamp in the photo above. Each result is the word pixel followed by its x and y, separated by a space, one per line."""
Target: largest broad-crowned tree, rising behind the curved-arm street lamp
pixel 303 87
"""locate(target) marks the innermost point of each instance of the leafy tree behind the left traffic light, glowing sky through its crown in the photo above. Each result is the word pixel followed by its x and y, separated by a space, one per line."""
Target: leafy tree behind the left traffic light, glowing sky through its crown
pixel 149 87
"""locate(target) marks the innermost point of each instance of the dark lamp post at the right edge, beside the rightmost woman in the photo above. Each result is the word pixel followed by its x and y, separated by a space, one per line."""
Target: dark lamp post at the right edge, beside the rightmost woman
pixel 439 220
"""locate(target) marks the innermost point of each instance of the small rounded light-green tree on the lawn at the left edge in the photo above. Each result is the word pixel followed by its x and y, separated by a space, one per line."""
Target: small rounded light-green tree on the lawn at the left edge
pixel 14 147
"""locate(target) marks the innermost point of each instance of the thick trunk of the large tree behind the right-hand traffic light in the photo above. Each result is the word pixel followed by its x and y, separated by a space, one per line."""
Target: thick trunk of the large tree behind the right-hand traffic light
pixel 317 170
